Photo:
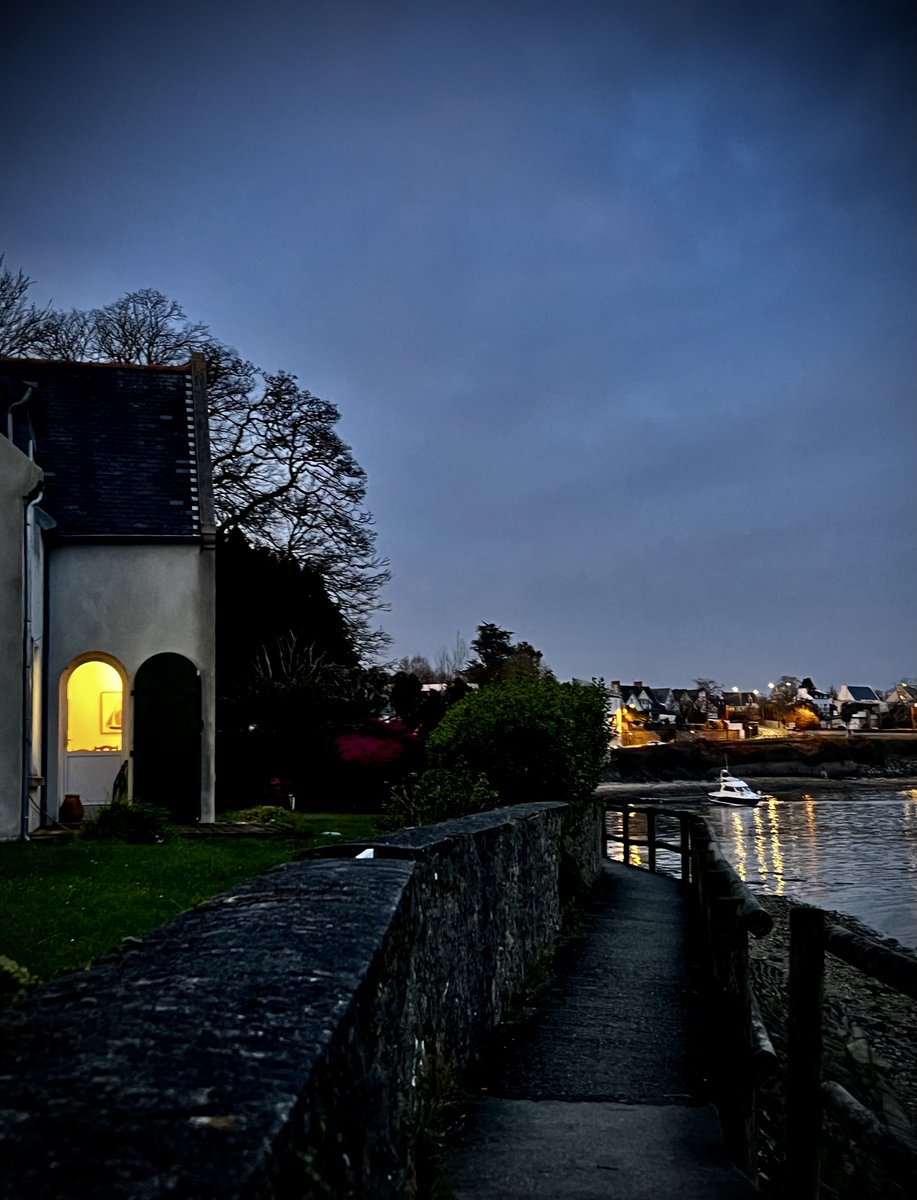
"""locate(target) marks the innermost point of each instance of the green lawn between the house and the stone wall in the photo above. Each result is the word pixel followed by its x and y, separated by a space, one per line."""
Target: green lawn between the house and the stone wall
pixel 67 904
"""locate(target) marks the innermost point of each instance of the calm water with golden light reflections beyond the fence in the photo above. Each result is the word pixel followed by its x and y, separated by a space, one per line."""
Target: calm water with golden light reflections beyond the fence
pixel 854 850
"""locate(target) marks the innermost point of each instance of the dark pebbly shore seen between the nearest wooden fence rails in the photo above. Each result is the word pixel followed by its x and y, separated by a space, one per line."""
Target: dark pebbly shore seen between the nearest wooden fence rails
pixel 870 1049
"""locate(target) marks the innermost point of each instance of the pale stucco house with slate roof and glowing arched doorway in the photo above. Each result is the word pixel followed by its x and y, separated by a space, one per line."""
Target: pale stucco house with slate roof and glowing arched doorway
pixel 107 548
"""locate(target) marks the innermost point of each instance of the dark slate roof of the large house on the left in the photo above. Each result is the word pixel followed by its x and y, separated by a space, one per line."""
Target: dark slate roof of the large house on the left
pixel 119 453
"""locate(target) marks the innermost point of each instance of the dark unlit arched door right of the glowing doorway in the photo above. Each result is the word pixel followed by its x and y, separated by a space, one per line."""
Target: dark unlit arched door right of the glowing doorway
pixel 167 736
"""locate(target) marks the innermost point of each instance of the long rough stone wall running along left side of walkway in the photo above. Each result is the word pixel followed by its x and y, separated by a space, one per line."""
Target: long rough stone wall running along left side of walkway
pixel 289 1039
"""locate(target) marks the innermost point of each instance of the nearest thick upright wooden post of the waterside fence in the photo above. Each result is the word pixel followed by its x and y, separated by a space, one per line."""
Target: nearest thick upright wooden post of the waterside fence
pixel 804 1053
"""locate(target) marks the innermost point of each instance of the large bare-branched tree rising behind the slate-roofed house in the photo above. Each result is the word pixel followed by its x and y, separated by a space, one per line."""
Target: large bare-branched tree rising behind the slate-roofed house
pixel 283 475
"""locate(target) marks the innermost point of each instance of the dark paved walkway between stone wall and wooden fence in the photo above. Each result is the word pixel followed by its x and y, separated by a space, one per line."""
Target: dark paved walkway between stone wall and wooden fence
pixel 597 1094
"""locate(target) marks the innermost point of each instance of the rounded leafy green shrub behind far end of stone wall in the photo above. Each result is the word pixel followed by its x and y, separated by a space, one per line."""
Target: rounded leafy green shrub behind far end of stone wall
pixel 531 739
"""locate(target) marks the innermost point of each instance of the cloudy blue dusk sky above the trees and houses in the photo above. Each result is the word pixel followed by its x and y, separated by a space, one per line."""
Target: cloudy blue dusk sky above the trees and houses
pixel 618 301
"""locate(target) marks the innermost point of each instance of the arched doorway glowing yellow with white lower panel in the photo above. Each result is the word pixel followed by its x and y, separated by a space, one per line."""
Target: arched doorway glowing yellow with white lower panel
pixel 94 724
